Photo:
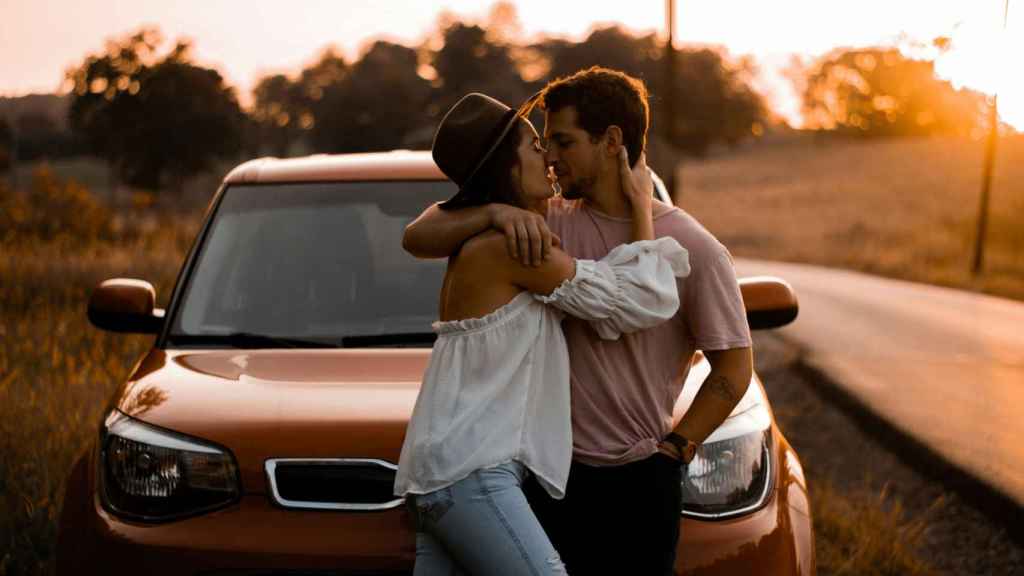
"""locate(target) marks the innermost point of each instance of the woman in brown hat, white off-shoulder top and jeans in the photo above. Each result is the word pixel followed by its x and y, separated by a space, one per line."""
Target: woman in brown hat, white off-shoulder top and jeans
pixel 495 402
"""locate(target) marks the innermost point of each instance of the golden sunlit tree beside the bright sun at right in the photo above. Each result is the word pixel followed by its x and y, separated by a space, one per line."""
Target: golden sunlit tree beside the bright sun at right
pixel 881 93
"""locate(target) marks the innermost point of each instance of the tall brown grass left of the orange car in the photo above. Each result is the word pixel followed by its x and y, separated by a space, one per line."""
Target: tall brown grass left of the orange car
pixel 57 372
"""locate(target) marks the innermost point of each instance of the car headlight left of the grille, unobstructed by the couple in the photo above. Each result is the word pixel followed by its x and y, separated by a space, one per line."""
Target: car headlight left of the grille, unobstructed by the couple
pixel 153 475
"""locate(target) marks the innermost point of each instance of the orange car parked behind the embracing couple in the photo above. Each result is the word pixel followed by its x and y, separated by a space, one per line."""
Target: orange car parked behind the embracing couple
pixel 261 434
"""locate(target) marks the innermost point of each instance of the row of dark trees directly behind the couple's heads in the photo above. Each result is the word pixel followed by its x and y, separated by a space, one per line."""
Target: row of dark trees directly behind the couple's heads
pixel 394 96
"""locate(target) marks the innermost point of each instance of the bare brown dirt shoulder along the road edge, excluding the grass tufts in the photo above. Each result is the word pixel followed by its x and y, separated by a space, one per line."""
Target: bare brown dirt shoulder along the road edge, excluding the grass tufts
pixel 840 451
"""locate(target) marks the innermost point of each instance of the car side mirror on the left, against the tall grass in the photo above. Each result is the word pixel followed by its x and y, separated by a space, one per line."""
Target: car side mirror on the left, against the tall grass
pixel 125 305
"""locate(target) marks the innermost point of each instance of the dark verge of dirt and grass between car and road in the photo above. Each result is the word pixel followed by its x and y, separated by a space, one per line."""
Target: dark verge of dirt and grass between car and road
pixel 869 499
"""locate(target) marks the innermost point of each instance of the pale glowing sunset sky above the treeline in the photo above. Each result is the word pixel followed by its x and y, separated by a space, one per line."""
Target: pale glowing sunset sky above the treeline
pixel 248 38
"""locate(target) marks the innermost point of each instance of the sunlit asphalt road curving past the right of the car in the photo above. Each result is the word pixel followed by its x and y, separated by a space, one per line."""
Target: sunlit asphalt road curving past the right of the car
pixel 946 367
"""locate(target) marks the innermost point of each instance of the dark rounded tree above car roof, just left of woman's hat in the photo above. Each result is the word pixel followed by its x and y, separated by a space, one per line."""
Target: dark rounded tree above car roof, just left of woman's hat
pixel 376 106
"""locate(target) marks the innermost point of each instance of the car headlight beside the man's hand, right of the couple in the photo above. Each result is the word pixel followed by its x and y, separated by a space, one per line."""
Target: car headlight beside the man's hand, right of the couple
pixel 730 477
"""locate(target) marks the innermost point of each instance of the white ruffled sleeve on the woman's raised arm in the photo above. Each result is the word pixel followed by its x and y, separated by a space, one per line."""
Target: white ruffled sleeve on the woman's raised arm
pixel 632 289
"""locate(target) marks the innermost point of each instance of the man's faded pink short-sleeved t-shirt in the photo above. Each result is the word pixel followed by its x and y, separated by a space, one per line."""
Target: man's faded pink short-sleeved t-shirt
pixel 623 392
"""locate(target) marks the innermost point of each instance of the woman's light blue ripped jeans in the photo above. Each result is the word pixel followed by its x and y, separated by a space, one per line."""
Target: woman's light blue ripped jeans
pixel 482 525
